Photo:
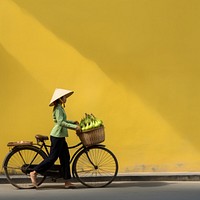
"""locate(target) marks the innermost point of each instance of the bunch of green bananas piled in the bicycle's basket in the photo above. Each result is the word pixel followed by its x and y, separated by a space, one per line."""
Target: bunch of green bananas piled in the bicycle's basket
pixel 90 122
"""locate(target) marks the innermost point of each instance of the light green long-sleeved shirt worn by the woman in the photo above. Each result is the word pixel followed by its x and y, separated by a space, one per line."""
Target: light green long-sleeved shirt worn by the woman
pixel 61 123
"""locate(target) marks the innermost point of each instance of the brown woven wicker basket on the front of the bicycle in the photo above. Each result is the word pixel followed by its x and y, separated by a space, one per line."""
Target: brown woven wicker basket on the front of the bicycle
pixel 92 137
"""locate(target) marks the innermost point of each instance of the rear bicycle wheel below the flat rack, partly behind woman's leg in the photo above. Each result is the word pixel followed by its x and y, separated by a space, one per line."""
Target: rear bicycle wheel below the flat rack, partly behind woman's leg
pixel 19 163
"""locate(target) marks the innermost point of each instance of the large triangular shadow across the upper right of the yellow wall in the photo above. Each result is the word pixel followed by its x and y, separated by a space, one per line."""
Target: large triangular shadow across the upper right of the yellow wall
pixel 137 44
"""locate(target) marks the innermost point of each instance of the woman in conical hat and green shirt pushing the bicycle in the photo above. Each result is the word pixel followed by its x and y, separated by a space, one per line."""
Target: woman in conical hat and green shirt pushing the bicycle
pixel 59 147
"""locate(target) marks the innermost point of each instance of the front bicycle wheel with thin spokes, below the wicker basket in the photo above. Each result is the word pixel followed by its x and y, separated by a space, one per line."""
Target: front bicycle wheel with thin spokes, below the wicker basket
pixel 95 166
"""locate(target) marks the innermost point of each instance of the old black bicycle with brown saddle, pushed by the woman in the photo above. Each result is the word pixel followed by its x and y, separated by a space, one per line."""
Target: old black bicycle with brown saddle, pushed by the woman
pixel 93 166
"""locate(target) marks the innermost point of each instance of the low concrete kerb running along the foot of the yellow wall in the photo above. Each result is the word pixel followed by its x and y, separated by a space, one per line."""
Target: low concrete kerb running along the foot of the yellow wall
pixel 145 176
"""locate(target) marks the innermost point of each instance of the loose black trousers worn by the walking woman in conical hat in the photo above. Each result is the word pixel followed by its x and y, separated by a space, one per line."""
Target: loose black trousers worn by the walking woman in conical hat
pixel 59 149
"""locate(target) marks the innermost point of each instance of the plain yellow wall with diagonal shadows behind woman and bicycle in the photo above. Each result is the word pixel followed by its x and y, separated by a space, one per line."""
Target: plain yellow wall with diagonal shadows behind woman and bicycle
pixel 133 63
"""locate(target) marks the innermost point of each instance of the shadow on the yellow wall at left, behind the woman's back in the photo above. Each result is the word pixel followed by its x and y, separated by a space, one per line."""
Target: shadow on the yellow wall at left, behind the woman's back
pixel 21 98
